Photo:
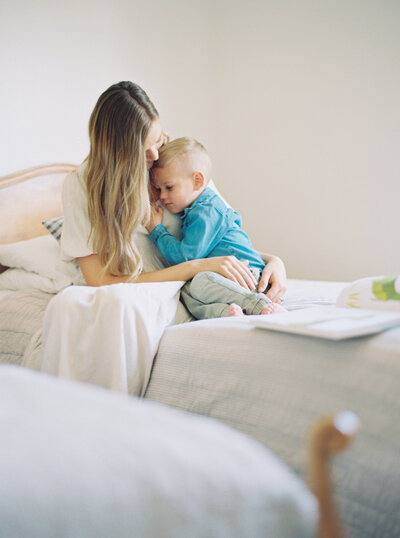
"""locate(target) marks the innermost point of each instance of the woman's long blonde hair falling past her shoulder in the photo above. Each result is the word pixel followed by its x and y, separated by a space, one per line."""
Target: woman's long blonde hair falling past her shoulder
pixel 117 177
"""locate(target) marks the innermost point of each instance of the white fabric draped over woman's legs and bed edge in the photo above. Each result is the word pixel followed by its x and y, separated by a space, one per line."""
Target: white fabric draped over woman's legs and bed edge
pixel 107 336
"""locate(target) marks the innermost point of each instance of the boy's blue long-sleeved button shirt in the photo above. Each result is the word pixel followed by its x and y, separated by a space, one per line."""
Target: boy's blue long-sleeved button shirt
pixel 209 228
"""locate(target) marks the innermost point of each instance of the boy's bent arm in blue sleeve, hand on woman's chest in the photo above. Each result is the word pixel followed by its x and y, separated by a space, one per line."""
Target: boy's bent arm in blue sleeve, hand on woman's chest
pixel 202 226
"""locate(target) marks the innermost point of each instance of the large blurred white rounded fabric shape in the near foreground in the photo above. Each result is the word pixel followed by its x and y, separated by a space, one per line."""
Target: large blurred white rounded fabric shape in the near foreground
pixel 82 462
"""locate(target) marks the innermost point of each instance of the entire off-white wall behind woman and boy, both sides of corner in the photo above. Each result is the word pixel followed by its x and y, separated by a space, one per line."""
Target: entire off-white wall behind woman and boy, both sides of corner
pixel 297 101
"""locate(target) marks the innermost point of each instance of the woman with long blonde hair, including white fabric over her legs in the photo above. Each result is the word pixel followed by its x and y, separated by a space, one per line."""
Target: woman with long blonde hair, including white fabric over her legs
pixel 108 335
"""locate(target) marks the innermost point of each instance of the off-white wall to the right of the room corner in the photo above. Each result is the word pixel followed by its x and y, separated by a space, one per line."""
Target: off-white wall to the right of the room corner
pixel 309 97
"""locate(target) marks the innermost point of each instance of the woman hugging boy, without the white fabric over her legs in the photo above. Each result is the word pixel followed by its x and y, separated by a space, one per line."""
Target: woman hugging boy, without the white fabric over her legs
pixel 125 136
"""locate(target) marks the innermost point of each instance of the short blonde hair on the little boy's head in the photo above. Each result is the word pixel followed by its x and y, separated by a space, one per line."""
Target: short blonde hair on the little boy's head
pixel 195 155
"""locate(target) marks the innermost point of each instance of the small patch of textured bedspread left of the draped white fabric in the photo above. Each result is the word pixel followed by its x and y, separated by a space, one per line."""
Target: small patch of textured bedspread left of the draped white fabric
pixel 21 316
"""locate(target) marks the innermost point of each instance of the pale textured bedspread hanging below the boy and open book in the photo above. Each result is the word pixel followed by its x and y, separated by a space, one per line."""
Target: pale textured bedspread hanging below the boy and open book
pixel 273 386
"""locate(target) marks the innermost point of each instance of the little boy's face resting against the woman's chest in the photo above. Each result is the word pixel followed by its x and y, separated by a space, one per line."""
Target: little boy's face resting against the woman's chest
pixel 176 187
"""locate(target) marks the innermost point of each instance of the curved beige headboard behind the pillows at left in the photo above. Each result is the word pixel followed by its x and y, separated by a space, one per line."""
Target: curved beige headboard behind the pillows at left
pixel 29 197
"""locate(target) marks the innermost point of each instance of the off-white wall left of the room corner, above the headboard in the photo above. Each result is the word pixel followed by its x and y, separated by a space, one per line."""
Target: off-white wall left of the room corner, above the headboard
pixel 57 57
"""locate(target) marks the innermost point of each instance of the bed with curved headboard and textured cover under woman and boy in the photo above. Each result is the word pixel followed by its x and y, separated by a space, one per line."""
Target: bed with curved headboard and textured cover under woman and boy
pixel 271 386
